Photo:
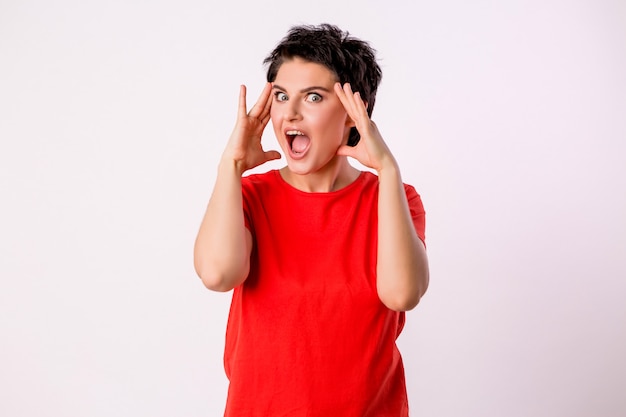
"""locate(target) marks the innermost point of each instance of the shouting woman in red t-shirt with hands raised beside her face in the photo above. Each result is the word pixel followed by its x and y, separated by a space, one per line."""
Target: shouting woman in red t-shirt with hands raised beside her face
pixel 323 258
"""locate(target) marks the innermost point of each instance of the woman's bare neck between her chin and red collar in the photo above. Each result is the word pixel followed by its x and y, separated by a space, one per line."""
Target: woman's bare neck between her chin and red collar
pixel 334 176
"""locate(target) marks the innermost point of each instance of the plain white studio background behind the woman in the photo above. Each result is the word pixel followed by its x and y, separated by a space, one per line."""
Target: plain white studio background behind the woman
pixel 508 117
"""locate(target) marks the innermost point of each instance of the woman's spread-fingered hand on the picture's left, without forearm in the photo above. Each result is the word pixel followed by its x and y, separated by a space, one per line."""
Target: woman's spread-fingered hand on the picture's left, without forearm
pixel 244 146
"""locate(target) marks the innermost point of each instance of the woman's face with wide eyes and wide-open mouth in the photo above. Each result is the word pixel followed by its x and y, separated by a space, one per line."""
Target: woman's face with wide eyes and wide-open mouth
pixel 309 121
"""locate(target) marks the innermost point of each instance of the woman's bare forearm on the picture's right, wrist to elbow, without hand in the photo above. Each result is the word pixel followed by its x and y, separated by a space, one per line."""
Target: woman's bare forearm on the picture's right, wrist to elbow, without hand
pixel 402 267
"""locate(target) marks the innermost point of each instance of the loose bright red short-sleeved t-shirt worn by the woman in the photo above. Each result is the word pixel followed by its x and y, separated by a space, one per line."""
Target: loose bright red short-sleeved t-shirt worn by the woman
pixel 307 334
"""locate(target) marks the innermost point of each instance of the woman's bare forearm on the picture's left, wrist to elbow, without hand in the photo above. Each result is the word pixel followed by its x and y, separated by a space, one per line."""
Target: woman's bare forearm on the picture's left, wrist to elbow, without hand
pixel 222 248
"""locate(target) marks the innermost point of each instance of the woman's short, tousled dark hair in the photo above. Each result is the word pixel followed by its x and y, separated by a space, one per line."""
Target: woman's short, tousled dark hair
pixel 351 59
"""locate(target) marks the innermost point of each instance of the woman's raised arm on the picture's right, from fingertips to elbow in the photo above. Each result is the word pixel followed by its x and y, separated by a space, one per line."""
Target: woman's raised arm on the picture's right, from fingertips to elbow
pixel 402 264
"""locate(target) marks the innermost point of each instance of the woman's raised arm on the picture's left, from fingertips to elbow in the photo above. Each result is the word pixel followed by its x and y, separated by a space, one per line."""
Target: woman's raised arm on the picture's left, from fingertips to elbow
pixel 223 245
